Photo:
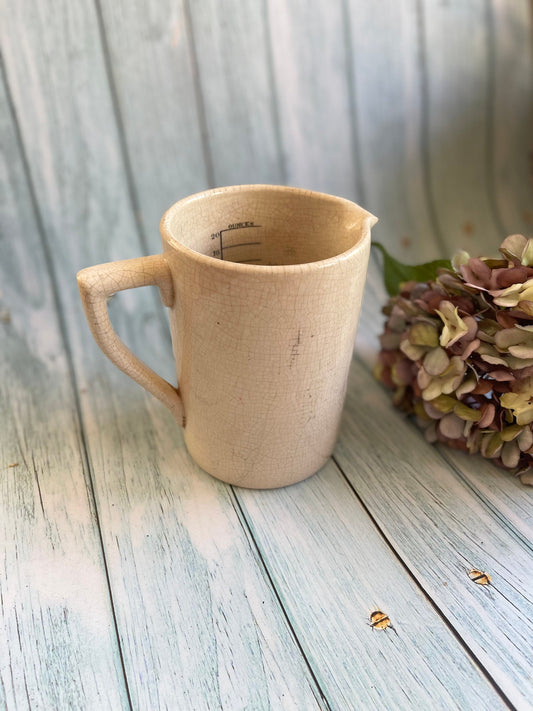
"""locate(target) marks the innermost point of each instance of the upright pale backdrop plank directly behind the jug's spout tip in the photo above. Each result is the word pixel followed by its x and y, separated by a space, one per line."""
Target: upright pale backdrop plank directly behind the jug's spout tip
pixel 387 82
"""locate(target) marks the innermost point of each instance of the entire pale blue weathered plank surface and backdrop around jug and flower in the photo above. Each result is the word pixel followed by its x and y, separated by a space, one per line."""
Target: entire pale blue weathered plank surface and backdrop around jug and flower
pixel 130 578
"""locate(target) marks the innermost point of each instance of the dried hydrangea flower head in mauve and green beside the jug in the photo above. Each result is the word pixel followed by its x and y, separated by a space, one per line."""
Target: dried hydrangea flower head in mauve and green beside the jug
pixel 458 353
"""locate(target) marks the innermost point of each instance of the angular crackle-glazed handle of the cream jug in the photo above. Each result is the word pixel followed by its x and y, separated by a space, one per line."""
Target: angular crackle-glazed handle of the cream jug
pixel 96 285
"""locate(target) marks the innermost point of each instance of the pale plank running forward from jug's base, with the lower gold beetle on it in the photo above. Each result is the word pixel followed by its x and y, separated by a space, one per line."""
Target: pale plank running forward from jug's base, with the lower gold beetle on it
pixel 332 569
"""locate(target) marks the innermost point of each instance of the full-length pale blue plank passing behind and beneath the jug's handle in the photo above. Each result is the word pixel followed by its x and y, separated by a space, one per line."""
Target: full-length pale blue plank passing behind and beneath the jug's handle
pixel 199 624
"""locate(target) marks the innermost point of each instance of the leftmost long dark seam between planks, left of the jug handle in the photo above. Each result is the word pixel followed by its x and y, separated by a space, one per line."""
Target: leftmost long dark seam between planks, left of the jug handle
pixel 84 453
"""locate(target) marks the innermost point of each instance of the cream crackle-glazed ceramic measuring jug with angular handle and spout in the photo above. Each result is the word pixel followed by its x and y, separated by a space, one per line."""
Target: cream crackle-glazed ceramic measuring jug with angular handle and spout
pixel 264 286
